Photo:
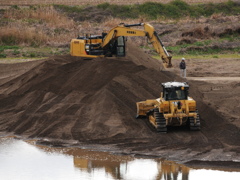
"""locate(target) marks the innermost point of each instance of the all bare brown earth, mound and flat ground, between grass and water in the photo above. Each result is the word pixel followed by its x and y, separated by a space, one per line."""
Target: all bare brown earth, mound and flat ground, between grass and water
pixel 66 101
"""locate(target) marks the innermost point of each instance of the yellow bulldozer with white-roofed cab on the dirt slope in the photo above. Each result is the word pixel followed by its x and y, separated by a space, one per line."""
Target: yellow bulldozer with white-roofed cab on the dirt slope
pixel 173 108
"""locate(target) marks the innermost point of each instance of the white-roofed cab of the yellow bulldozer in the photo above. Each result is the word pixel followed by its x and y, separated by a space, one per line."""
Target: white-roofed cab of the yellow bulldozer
pixel 175 91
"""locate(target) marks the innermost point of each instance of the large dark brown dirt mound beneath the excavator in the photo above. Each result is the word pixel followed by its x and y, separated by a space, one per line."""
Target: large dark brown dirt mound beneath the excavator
pixel 93 101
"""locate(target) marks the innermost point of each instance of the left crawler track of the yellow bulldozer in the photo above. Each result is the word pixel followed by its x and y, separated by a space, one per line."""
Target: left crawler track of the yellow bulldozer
pixel 160 121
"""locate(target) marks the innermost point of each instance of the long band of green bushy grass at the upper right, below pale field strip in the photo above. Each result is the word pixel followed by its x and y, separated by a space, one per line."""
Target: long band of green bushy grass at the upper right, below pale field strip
pixel 174 10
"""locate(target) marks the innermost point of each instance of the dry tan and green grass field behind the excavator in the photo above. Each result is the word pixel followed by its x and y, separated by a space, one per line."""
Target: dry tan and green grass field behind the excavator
pixel 43 30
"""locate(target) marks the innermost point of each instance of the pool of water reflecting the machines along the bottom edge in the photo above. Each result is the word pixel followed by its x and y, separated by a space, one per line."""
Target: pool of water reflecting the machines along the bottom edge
pixel 23 160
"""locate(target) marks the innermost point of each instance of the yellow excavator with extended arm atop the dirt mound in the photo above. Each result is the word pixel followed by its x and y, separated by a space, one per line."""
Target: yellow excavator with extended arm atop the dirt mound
pixel 112 43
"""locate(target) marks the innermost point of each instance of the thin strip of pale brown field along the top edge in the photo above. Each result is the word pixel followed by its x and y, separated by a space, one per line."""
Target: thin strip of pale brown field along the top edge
pixel 94 2
